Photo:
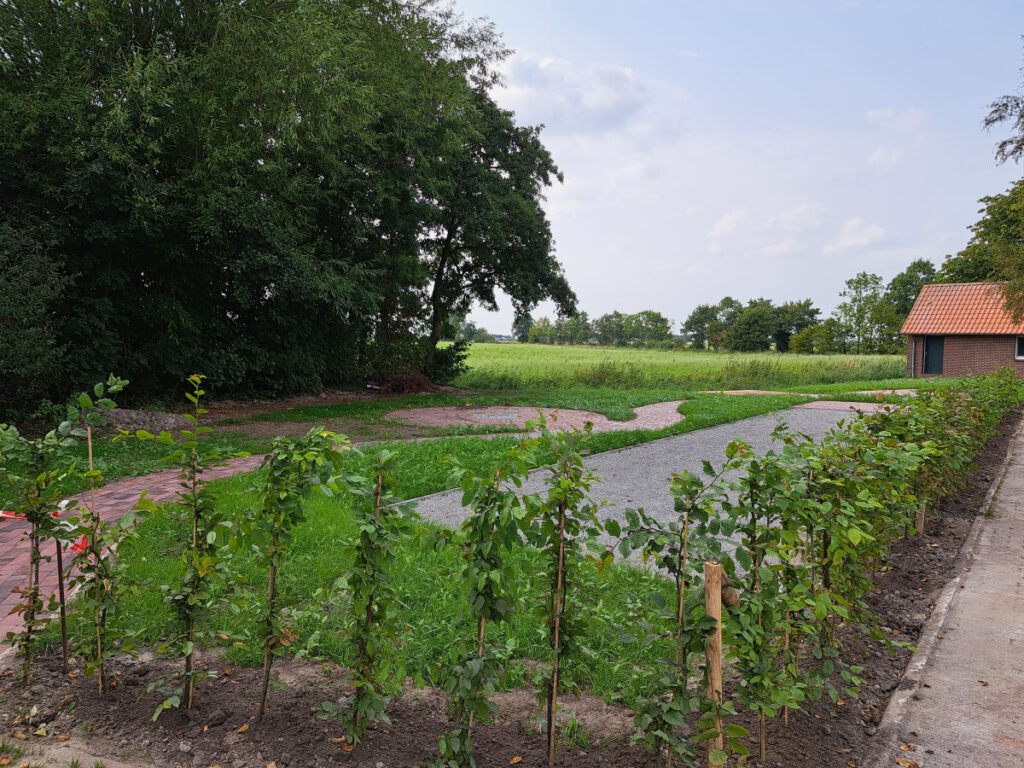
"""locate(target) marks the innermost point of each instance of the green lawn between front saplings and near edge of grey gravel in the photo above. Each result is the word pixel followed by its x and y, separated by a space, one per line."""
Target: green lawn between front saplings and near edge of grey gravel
pixel 434 612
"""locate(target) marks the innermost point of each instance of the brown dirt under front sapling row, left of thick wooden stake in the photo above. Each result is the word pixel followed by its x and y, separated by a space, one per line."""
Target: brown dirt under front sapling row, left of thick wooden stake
pixel 222 731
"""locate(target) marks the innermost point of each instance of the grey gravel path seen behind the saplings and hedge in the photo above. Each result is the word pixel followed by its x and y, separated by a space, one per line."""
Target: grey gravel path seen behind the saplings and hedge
pixel 638 477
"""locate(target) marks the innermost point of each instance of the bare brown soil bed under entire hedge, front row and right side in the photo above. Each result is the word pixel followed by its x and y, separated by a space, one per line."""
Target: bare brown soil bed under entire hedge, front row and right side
pixel 222 732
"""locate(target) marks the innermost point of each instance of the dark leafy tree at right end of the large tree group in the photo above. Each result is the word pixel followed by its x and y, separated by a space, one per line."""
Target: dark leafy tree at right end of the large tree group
pixel 489 229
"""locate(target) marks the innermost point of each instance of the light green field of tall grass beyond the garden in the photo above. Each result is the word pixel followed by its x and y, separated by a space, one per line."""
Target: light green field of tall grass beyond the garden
pixel 534 366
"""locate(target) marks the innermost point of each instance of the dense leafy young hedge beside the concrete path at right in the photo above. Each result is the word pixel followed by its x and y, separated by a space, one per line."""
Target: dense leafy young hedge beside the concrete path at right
pixel 816 519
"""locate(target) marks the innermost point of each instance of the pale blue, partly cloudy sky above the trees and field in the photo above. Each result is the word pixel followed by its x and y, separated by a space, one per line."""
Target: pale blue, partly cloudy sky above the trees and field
pixel 755 148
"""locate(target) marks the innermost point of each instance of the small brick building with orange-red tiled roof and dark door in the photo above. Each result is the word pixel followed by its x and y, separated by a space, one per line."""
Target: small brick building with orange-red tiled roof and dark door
pixel 962 329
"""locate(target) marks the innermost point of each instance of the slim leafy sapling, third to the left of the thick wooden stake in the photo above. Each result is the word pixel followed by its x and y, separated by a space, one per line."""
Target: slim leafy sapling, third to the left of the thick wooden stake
pixel 492 529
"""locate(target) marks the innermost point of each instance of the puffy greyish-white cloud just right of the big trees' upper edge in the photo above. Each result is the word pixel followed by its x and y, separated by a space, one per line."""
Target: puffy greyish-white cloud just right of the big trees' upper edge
pixel 570 98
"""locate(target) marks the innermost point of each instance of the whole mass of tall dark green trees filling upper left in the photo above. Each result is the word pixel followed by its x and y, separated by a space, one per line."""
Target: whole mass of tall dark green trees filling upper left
pixel 282 194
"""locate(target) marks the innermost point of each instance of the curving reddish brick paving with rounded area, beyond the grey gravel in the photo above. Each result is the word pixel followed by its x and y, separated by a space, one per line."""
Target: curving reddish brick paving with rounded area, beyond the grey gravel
pixel 658 416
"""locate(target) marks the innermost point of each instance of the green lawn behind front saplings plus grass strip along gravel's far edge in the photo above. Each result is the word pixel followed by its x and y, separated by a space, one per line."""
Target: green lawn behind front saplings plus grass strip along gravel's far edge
pixel 434 612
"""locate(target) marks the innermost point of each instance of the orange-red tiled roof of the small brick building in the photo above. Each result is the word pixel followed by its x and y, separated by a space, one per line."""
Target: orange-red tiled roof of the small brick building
pixel 962 310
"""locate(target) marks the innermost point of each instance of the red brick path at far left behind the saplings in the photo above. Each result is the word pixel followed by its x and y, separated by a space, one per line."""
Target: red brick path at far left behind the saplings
pixel 112 502
